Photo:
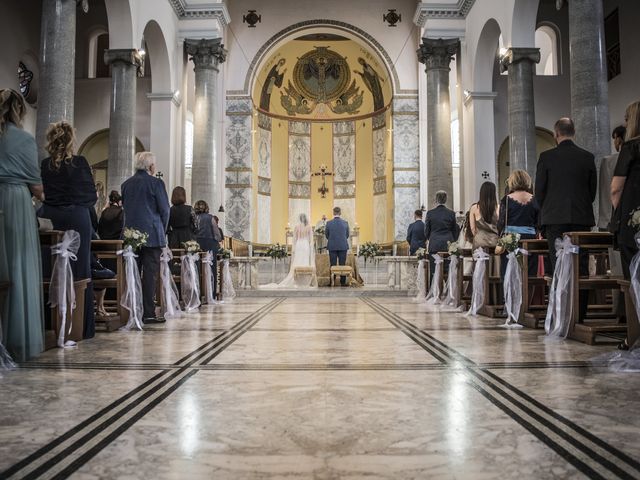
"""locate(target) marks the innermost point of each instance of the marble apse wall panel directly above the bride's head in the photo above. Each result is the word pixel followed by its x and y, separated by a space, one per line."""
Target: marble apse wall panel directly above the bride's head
pixel 299 170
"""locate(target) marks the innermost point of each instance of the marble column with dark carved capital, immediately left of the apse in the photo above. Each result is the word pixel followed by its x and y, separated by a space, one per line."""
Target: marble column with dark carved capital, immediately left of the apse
pixel 207 55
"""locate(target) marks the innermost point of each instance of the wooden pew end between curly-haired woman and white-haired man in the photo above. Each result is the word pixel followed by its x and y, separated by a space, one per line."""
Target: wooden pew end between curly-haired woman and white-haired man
pixel 107 250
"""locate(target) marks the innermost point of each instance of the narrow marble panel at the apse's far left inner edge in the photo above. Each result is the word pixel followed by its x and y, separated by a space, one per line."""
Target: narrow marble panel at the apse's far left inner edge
pixel 264 179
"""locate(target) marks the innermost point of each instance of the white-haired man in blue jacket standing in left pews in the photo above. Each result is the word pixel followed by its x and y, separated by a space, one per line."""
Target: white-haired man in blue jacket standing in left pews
pixel 146 208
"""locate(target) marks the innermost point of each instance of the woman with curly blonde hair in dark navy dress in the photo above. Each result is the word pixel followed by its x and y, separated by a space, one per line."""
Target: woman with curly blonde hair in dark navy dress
pixel 69 194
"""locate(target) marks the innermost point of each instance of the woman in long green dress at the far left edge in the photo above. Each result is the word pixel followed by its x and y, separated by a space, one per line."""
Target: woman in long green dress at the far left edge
pixel 22 315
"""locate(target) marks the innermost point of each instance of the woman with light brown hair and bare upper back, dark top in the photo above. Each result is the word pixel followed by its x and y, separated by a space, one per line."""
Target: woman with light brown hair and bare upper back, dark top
pixel 519 213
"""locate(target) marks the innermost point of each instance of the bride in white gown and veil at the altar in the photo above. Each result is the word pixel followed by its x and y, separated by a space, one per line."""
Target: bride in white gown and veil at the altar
pixel 302 255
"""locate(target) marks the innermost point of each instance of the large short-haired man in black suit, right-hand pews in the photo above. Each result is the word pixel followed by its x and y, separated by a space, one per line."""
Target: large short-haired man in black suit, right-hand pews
pixel 566 187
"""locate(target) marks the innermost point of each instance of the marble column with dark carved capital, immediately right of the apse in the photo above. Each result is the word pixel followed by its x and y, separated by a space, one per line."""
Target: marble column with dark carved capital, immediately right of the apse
pixel 436 54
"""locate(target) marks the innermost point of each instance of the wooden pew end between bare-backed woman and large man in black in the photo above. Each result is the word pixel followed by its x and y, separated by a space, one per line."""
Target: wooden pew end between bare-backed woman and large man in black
pixel 533 315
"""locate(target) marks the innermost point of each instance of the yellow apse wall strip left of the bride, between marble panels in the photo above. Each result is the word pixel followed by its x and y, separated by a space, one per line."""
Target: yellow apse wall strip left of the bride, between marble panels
pixel 279 179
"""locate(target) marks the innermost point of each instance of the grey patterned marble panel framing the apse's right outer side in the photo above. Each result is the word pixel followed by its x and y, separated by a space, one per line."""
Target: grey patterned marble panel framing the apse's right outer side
pixel 406 163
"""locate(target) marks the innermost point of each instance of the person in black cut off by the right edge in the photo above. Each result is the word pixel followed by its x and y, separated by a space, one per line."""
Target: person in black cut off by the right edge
pixel 625 190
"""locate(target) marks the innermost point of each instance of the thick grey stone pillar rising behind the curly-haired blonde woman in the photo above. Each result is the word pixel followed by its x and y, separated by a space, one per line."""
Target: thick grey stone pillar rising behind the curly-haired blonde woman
pixel 57 66
